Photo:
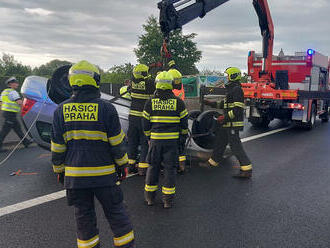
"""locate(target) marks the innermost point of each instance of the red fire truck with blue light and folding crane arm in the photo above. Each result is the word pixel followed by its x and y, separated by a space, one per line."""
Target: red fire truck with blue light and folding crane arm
pixel 288 87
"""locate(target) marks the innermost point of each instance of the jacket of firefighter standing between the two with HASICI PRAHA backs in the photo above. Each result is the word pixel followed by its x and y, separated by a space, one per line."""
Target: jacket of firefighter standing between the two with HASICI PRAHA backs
pixel 141 91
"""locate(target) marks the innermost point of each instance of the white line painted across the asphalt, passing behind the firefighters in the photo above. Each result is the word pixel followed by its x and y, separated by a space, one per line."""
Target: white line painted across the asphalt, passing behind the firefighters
pixel 60 194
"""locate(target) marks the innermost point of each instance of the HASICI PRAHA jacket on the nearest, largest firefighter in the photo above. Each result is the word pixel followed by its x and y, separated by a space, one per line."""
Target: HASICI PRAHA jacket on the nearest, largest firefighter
pixel 87 141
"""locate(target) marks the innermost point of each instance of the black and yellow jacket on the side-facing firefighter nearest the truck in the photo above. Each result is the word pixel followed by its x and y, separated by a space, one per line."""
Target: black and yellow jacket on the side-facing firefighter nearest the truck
pixel 233 106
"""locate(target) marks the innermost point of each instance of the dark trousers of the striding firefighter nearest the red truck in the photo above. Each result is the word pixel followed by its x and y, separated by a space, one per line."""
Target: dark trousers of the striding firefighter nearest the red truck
pixel 231 136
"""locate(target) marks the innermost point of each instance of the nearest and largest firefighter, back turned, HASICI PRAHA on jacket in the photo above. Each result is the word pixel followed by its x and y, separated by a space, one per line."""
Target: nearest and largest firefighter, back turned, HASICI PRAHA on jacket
pixel 89 157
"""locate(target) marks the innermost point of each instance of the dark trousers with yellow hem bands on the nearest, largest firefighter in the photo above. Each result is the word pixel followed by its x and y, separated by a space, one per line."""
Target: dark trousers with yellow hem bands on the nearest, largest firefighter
pixel 111 199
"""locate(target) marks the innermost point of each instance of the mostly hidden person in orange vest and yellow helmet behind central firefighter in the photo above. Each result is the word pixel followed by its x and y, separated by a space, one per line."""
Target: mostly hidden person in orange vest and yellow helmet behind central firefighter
pixel 178 91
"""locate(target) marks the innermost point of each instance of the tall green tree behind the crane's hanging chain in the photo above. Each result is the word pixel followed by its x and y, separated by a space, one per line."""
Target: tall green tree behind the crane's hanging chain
pixel 184 51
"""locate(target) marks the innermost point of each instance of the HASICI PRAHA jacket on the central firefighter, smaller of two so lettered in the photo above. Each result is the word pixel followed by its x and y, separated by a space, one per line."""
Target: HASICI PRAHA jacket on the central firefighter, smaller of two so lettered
pixel 165 117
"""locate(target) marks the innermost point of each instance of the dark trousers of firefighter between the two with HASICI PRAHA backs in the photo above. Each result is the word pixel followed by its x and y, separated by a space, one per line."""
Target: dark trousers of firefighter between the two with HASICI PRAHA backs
pixel 137 138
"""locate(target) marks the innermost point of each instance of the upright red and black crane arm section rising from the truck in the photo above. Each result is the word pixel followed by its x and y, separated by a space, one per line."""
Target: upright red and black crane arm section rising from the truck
pixel 267 32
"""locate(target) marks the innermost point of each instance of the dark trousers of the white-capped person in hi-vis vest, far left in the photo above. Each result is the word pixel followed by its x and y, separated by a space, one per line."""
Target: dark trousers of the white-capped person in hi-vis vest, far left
pixel 11 122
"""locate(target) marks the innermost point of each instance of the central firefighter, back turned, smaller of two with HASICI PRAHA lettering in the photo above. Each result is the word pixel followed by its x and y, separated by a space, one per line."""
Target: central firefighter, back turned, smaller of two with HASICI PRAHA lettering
pixel 165 123
